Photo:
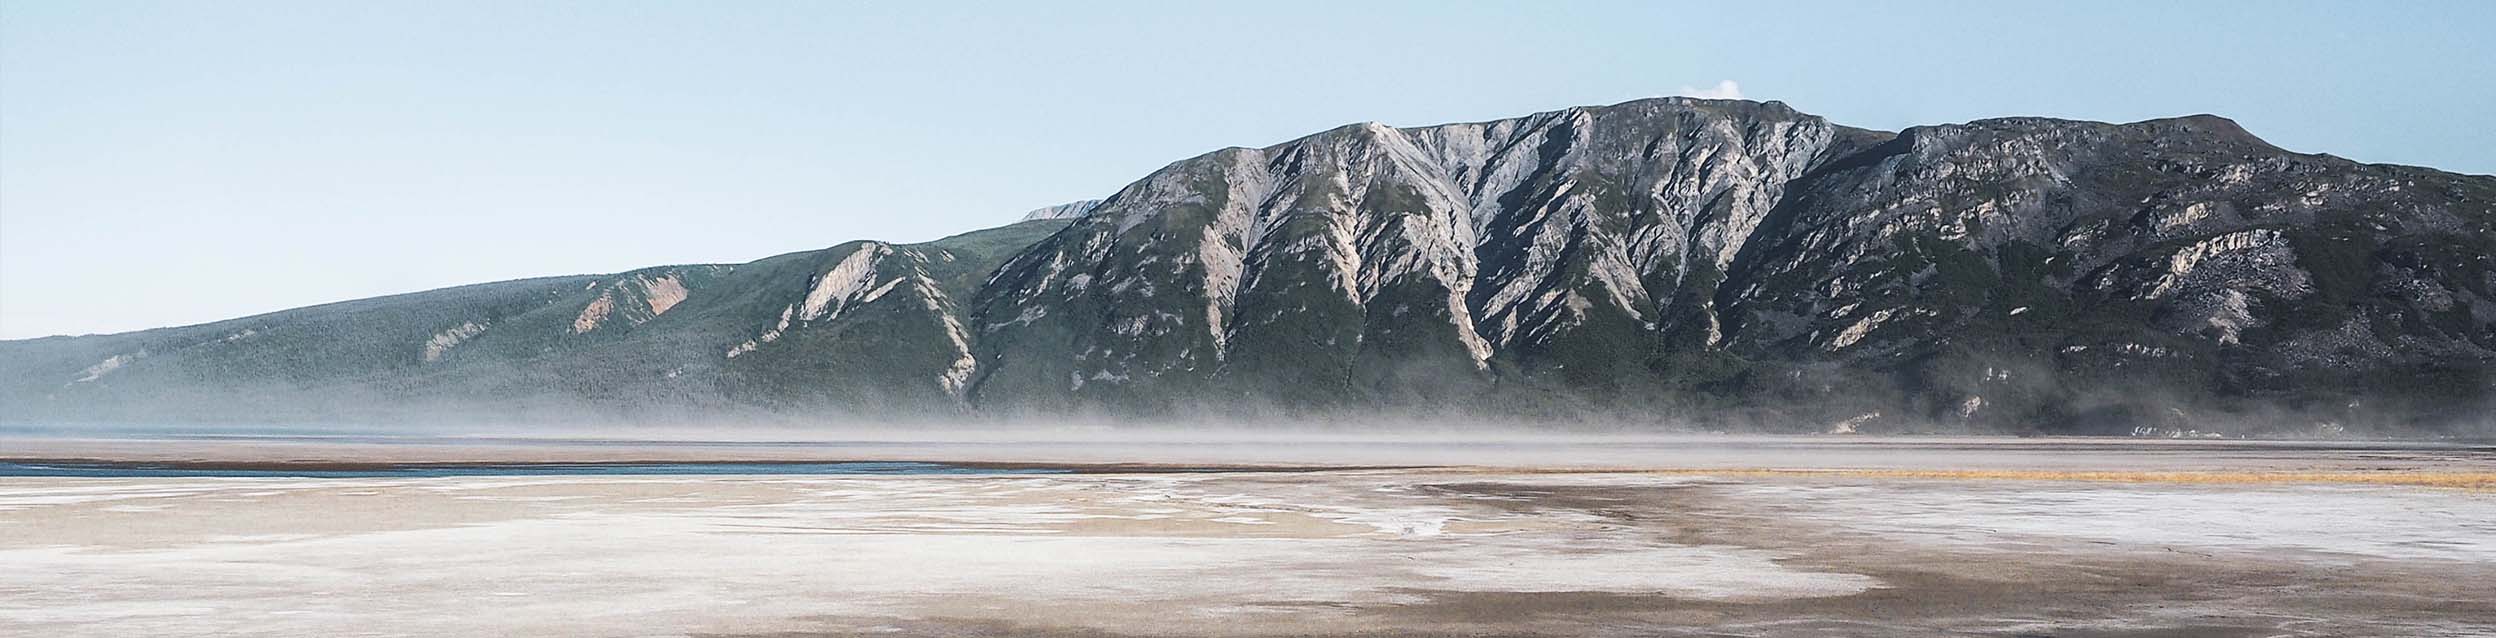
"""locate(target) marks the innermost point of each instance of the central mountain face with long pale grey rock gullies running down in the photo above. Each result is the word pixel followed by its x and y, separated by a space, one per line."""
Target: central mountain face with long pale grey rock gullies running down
pixel 1397 263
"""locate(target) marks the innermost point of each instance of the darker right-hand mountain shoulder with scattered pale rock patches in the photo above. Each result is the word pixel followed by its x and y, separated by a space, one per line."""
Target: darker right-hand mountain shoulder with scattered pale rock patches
pixel 2123 270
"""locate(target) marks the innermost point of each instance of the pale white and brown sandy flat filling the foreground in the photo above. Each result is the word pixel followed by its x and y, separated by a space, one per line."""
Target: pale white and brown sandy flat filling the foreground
pixel 1239 555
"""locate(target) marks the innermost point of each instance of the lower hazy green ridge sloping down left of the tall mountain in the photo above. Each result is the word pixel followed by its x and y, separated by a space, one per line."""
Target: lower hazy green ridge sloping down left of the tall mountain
pixel 845 328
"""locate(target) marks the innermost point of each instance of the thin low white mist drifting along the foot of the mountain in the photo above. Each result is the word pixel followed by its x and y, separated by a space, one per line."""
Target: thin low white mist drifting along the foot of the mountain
pixel 346 415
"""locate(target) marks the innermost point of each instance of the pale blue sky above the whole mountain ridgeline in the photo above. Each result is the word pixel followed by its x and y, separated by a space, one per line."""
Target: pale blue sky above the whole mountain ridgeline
pixel 171 163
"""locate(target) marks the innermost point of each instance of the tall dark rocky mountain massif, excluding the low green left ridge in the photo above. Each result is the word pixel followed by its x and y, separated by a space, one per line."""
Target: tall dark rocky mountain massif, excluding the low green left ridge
pixel 1748 265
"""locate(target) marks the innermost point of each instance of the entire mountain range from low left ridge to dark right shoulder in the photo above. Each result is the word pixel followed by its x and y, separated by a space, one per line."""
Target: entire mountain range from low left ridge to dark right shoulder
pixel 1659 263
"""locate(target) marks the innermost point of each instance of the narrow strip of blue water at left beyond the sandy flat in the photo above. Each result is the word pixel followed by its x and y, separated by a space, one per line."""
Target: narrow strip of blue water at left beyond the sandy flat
pixel 505 470
